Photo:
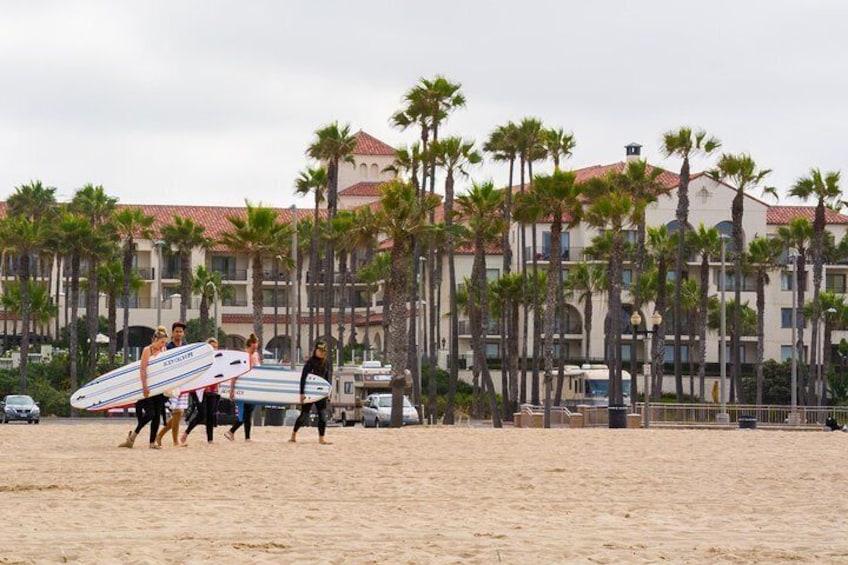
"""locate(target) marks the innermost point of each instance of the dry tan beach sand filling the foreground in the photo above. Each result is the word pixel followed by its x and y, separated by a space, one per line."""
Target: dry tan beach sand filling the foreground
pixel 424 495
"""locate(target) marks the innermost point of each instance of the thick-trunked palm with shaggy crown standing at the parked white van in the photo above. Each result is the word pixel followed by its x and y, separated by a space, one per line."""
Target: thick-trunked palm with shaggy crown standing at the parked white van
pixel 403 218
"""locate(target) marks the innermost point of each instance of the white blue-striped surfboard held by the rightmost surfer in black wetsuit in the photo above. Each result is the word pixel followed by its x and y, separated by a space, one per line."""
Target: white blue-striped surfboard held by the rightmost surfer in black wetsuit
pixel 275 385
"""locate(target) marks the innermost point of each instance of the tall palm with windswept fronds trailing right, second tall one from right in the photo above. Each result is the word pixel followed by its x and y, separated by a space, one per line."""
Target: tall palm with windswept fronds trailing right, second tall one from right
pixel 742 172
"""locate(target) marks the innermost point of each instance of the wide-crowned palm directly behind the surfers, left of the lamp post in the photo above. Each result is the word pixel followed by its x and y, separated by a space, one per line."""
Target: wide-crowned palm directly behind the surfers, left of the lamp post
pixel 257 235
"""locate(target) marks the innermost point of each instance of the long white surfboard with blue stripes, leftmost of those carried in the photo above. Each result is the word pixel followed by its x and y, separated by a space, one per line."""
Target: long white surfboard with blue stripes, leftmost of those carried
pixel 120 387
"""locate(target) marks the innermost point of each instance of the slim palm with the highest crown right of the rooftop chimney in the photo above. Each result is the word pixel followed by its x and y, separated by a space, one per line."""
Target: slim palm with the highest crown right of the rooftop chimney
pixel 685 144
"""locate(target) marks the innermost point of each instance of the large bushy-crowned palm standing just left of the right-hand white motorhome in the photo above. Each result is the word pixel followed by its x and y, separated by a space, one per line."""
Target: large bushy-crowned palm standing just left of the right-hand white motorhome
pixel 556 198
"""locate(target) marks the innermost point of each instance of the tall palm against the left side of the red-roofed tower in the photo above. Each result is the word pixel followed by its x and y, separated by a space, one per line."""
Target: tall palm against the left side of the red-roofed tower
pixel 333 145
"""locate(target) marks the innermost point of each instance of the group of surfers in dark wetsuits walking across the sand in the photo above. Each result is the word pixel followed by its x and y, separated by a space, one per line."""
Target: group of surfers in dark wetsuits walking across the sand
pixel 152 409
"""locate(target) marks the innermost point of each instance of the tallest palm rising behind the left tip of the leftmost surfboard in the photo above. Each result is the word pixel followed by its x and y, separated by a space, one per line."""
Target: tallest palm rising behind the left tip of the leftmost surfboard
pixel 92 203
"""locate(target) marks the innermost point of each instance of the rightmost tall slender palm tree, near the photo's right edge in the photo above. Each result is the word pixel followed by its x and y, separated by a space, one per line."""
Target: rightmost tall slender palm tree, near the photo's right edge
pixel 825 189
